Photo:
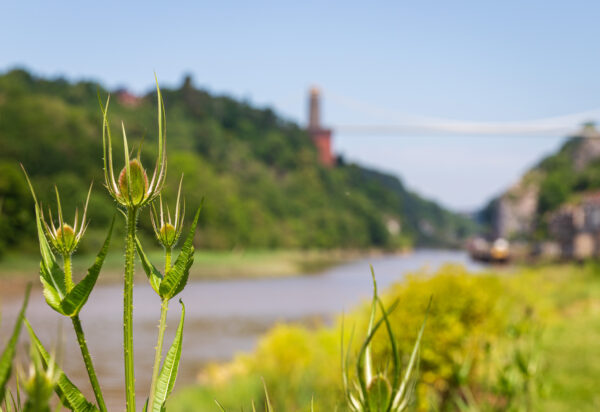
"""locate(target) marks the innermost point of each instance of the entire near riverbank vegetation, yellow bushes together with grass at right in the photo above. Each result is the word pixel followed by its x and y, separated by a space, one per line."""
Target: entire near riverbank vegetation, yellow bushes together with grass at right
pixel 493 342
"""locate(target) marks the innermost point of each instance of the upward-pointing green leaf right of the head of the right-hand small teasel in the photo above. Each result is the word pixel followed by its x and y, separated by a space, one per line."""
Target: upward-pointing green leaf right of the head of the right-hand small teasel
pixel 176 279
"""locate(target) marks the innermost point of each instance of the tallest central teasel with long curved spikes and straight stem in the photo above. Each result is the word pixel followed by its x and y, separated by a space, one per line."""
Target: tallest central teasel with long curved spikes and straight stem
pixel 132 191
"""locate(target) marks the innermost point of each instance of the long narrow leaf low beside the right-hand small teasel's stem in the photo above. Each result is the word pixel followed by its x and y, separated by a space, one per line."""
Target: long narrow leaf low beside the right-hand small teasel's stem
pixel 168 372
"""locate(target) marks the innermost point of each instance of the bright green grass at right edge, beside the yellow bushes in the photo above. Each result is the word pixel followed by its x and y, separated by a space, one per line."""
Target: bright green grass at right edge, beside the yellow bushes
pixel 571 341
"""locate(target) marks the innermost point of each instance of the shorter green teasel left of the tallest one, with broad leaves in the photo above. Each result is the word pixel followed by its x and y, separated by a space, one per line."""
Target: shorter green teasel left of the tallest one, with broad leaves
pixel 60 291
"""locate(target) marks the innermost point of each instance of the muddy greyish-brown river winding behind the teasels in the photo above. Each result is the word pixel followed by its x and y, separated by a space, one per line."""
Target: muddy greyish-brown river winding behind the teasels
pixel 222 317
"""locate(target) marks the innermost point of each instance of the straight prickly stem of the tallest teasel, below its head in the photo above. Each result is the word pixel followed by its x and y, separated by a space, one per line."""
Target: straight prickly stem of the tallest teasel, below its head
pixel 132 213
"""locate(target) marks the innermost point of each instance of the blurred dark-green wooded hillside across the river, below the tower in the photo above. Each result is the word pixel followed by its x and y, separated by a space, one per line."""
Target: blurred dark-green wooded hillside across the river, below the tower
pixel 259 173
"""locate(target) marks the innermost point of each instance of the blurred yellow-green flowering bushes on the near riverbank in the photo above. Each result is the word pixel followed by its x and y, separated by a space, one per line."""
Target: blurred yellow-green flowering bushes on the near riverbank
pixel 479 351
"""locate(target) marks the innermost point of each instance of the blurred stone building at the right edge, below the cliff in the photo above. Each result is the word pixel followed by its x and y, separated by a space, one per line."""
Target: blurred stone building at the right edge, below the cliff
pixel 576 227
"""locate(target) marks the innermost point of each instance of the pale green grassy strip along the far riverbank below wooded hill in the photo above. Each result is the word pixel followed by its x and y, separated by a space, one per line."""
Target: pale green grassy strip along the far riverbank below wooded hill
pixel 207 264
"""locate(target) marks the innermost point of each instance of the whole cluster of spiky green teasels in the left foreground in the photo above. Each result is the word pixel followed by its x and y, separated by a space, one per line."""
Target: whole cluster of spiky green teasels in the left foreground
pixel 132 190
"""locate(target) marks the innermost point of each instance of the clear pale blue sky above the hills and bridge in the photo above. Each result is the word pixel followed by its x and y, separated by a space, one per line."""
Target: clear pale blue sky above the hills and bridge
pixel 375 62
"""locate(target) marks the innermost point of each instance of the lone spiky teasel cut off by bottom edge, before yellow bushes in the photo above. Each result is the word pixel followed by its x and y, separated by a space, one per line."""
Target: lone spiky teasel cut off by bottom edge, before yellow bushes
pixel 380 391
